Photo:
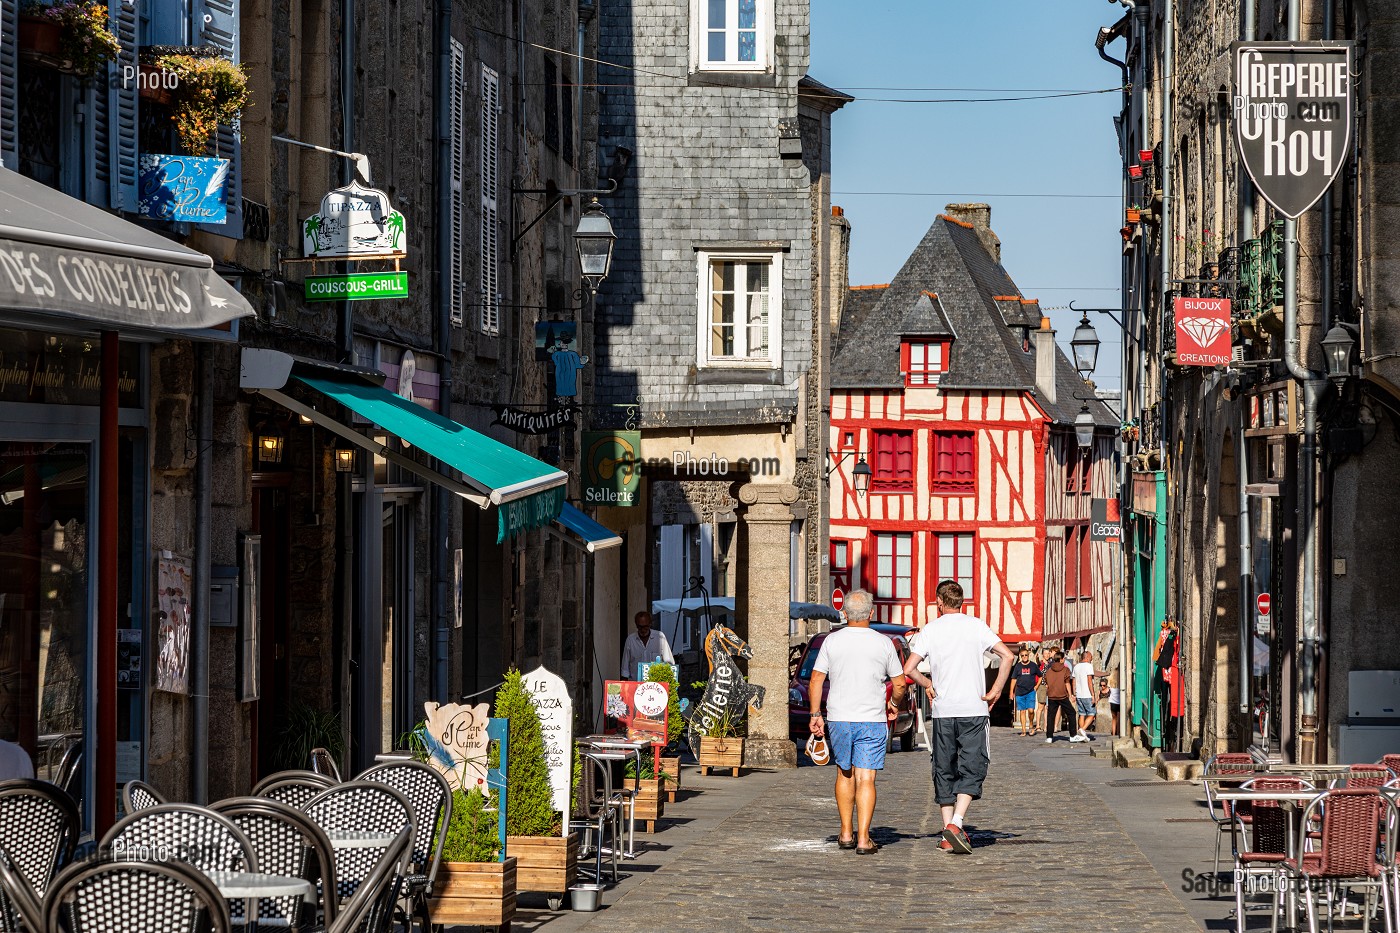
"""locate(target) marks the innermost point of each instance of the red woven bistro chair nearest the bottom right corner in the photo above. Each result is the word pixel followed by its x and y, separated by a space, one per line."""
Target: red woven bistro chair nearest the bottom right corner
pixel 1347 854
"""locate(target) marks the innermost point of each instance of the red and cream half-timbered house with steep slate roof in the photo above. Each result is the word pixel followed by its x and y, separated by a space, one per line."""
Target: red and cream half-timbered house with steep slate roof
pixel 950 386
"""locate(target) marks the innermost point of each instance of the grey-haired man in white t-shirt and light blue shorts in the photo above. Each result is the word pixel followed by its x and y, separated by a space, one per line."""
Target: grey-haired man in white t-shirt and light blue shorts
pixel 859 662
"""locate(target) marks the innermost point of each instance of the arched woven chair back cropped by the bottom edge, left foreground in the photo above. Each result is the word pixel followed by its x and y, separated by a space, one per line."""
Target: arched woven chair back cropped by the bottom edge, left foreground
pixel 150 897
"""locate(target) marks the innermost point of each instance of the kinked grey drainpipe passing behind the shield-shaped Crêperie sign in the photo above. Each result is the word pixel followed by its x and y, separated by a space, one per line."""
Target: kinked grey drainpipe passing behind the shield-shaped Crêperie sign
pixel 1312 387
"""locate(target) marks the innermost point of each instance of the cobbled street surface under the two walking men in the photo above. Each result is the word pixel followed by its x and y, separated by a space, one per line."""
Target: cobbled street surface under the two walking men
pixel 1049 855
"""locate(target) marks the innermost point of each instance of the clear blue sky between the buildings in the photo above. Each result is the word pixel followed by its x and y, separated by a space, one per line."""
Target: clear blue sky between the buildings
pixel 1056 249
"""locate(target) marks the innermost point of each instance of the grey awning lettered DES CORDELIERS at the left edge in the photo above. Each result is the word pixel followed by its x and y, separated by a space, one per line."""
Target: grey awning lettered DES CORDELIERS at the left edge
pixel 64 257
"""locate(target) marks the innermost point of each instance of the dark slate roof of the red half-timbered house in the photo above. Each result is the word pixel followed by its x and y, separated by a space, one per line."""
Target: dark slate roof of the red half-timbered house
pixel 953 286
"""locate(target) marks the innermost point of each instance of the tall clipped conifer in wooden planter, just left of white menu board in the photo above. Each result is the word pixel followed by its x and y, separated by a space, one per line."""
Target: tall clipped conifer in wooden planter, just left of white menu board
pixel 547 859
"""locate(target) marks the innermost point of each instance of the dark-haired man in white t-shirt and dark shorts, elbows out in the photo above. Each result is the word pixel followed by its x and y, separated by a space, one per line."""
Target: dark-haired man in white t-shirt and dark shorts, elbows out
pixel 955 645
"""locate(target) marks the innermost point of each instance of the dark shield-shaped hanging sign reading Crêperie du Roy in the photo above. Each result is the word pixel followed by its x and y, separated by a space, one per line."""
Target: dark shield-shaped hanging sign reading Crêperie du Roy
pixel 1294 118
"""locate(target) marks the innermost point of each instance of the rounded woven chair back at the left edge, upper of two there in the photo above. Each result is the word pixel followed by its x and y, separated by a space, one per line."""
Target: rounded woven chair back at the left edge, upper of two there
pixel 38 830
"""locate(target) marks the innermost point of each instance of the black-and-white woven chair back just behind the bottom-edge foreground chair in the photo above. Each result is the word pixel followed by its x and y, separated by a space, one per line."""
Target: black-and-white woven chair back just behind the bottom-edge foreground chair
pixel 185 833
